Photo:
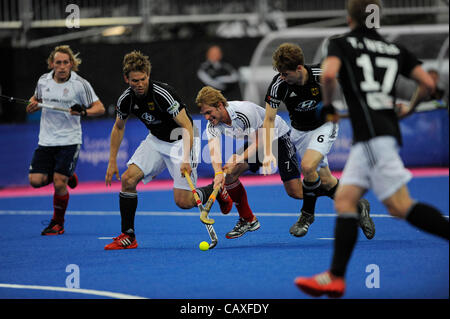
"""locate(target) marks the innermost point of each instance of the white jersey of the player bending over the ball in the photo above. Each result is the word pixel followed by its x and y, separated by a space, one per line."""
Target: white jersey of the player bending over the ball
pixel 246 117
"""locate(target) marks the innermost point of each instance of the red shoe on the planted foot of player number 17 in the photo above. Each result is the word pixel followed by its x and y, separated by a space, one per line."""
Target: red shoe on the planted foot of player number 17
pixel 323 283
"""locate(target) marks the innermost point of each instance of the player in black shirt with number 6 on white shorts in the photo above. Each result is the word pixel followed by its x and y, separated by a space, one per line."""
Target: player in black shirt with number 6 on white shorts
pixel 298 86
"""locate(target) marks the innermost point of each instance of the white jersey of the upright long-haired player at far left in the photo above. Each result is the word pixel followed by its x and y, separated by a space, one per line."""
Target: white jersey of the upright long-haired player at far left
pixel 60 128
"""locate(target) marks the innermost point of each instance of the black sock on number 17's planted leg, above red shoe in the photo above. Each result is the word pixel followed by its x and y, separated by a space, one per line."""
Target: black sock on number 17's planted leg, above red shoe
pixel 346 235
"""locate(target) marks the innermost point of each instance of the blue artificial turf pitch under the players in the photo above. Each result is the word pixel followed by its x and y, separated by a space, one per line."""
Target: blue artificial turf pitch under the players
pixel 260 265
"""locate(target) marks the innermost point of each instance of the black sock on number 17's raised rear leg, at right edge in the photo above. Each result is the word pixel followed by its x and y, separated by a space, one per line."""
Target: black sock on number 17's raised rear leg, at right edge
pixel 429 219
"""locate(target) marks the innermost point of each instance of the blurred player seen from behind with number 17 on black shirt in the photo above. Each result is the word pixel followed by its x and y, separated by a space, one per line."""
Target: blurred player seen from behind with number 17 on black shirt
pixel 368 67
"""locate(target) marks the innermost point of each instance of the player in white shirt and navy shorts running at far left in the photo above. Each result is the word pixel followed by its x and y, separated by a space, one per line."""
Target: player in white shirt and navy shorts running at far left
pixel 60 135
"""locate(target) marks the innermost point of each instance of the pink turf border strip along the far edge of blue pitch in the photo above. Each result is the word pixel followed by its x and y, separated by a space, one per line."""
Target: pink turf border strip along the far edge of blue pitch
pixel 158 185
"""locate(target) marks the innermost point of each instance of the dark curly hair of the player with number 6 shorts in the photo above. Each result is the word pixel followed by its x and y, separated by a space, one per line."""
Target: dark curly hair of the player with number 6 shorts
pixel 287 57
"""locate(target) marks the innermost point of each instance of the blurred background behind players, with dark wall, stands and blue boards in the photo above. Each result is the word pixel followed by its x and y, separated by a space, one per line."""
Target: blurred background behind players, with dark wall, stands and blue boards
pixel 175 35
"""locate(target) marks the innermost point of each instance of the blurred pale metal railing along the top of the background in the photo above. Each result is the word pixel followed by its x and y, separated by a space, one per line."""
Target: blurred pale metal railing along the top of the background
pixel 45 13
